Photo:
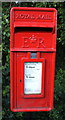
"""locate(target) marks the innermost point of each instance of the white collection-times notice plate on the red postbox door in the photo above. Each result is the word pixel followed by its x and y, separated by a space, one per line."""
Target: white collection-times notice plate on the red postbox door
pixel 32 77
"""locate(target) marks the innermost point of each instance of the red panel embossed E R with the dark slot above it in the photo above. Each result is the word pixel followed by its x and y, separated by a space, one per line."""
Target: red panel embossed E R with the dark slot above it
pixel 33 37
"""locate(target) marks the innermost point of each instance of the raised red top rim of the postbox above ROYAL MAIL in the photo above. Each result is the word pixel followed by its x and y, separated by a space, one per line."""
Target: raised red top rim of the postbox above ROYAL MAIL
pixel 33 8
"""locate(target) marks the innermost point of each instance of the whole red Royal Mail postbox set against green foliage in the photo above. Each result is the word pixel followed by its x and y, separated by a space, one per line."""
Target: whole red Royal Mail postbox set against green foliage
pixel 32 58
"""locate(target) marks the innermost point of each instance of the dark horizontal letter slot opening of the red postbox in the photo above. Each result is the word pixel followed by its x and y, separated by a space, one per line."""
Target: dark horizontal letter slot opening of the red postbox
pixel 20 29
